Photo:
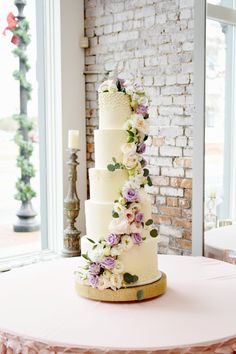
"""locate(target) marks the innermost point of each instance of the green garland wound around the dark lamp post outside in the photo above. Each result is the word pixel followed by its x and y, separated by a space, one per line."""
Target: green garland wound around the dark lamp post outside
pixel 24 189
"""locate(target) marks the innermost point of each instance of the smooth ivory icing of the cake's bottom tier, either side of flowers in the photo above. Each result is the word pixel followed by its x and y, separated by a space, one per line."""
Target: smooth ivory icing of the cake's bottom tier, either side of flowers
pixel 140 260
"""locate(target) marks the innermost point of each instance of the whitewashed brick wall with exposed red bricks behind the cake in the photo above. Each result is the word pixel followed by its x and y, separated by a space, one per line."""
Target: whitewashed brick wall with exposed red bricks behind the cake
pixel 156 38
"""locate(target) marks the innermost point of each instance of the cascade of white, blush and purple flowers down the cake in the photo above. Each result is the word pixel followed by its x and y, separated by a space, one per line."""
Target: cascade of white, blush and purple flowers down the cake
pixel 103 269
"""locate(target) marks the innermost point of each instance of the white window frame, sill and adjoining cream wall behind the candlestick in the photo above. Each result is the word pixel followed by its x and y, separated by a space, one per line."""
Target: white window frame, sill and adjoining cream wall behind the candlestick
pixel 61 102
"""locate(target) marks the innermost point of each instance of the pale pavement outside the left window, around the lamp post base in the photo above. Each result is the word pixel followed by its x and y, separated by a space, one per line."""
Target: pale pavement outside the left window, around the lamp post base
pixel 14 243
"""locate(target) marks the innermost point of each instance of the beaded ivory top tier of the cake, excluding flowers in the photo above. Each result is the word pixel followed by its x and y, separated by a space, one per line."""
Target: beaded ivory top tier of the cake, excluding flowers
pixel 114 110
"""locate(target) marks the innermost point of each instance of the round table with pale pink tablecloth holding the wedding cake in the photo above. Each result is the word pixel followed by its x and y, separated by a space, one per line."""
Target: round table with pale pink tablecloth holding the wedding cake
pixel 40 312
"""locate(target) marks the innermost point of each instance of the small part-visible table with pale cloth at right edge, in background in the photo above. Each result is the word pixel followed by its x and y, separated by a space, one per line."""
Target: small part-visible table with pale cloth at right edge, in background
pixel 220 243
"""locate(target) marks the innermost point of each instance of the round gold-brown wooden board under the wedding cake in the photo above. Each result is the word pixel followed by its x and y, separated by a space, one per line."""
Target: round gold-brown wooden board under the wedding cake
pixel 135 293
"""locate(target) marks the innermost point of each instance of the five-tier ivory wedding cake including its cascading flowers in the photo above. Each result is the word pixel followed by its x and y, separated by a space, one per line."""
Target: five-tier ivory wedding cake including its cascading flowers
pixel 120 248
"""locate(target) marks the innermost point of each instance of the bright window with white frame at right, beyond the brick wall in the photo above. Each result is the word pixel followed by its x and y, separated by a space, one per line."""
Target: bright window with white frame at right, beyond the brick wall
pixel 220 128
